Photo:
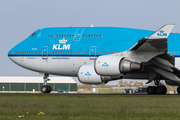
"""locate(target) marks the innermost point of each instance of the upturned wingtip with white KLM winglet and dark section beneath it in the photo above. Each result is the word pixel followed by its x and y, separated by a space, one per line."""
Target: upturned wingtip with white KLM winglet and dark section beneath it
pixel 157 42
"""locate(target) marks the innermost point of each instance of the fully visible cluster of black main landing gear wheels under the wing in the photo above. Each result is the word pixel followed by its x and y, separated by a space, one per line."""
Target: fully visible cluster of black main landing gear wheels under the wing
pixel 158 89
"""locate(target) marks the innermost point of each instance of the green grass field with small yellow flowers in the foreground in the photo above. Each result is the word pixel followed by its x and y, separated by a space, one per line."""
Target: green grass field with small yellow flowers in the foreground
pixel 89 107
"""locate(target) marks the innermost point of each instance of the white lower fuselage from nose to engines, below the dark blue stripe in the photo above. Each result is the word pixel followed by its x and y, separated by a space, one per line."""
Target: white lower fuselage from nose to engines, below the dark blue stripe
pixel 53 65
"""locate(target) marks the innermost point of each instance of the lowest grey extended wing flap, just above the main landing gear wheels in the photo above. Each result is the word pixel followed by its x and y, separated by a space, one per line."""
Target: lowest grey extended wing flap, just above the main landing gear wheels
pixel 166 74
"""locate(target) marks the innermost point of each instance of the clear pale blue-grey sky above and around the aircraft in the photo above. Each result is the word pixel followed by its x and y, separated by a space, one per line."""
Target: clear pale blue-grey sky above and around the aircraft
pixel 19 18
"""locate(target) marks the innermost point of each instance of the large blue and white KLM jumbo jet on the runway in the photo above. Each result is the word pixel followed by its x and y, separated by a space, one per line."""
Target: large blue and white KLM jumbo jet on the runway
pixel 100 54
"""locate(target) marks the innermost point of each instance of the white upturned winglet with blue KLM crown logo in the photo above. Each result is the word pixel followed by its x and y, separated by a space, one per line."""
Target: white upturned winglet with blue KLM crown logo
pixel 163 32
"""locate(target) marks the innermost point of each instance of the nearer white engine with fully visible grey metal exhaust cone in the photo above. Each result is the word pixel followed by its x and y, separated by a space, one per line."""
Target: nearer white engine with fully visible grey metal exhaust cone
pixel 115 65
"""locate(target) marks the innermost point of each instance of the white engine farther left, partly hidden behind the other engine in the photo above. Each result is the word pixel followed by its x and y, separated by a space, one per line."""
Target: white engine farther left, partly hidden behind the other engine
pixel 87 75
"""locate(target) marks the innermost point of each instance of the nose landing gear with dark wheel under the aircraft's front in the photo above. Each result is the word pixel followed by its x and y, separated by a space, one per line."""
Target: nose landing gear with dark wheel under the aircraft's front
pixel 46 88
